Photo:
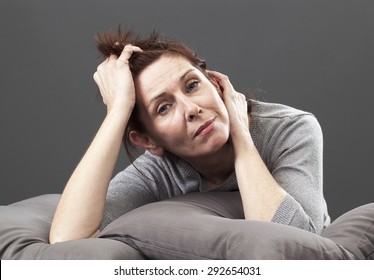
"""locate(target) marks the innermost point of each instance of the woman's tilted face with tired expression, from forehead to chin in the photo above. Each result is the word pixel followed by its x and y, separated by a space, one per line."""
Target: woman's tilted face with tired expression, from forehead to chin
pixel 181 109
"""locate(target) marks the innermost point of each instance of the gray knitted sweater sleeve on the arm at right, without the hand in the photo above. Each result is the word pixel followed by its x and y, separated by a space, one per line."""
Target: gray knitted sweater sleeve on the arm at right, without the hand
pixel 297 167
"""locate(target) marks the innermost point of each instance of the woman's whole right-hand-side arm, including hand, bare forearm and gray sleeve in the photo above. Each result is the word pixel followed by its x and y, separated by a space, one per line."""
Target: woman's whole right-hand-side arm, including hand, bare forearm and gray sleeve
pixel 289 191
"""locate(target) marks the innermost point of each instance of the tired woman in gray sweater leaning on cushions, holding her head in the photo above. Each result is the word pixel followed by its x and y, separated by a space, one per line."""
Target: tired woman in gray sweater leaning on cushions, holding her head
pixel 199 135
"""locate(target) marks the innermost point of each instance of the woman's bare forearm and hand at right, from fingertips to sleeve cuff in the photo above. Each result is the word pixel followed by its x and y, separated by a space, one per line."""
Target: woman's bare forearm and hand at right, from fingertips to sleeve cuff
pixel 261 194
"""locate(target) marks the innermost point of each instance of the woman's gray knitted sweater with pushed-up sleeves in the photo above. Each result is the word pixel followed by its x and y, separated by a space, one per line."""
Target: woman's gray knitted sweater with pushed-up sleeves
pixel 290 144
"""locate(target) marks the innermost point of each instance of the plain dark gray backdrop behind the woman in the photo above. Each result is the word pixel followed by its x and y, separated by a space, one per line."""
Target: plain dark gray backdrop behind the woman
pixel 314 55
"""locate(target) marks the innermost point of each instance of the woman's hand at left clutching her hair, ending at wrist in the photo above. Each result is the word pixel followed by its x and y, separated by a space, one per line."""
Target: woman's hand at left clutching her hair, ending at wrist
pixel 115 81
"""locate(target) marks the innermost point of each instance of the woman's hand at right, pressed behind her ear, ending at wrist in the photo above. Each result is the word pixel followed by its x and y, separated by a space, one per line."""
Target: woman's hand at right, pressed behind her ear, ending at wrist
pixel 236 105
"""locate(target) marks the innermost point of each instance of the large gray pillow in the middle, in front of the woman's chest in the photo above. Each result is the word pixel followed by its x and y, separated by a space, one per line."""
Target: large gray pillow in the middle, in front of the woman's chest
pixel 211 226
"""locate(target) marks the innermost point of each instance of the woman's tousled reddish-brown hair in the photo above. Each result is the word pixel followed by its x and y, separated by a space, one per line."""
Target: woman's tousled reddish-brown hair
pixel 113 42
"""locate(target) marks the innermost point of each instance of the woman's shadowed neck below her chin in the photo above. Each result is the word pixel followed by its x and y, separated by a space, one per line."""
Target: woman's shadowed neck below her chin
pixel 216 168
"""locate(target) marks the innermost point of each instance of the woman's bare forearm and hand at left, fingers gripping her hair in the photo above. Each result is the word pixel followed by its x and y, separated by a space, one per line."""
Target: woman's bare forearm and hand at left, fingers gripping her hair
pixel 80 210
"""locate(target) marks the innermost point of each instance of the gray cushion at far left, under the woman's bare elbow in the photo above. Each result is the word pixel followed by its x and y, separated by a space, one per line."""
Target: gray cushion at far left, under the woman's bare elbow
pixel 24 231
